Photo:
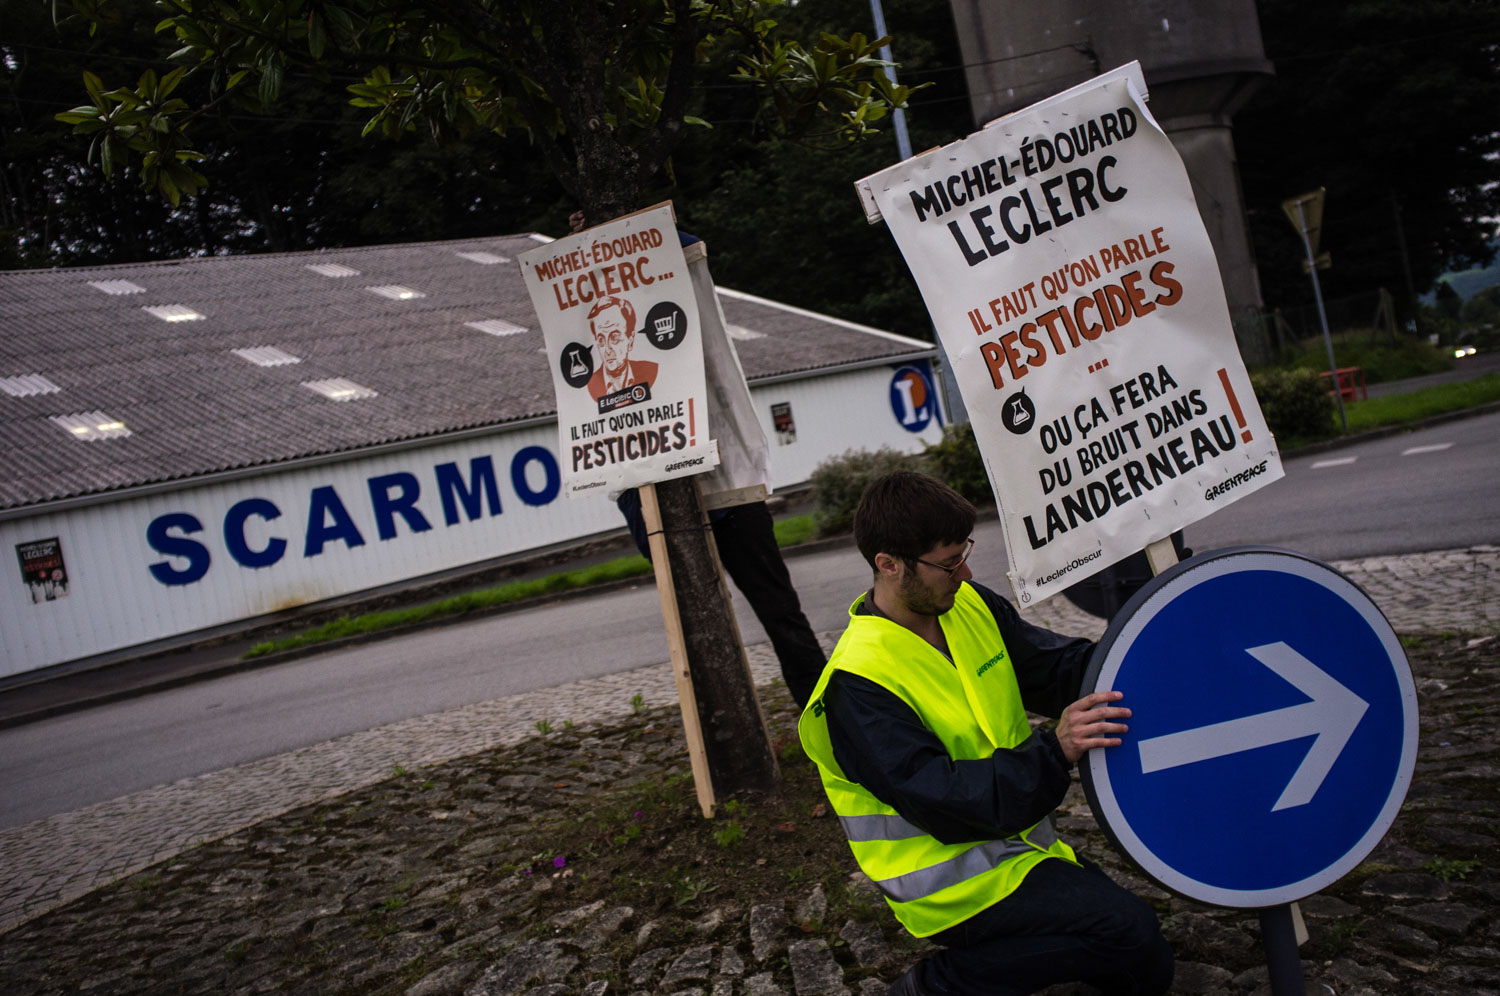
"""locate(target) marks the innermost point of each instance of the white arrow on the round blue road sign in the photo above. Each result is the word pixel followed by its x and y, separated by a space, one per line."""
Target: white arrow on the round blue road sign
pixel 1333 716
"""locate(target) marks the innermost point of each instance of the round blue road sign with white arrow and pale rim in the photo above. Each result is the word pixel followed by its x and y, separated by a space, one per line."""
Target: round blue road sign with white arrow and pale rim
pixel 1273 736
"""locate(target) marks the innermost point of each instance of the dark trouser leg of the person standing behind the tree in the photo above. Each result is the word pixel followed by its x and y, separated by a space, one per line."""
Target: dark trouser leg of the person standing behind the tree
pixel 748 550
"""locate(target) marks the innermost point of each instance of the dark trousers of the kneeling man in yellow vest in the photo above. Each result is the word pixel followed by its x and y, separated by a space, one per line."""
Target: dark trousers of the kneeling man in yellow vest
pixel 1064 925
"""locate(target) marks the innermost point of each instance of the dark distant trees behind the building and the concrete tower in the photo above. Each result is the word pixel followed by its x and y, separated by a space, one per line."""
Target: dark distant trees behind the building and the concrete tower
pixel 1394 106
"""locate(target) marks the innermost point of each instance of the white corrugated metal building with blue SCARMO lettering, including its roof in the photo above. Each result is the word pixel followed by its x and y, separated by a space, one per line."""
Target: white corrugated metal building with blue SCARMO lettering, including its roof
pixel 194 443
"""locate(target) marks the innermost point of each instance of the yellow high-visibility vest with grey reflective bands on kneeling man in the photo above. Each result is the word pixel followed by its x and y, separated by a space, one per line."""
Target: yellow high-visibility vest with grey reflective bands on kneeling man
pixel 974 707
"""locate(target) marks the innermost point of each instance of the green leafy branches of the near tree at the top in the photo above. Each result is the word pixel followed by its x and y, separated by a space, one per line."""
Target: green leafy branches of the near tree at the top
pixel 614 76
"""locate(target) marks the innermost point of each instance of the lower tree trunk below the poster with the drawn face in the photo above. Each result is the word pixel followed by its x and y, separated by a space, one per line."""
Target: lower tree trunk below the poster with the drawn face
pixel 736 742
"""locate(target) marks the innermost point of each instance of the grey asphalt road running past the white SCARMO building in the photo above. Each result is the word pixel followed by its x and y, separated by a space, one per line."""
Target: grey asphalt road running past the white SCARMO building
pixel 1423 491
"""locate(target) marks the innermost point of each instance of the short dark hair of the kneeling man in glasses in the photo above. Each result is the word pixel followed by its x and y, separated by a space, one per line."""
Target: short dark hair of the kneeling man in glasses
pixel 907 514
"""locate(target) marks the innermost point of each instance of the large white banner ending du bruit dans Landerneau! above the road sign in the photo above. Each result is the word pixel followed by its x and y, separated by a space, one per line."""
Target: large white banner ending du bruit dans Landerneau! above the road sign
pixel 1076 293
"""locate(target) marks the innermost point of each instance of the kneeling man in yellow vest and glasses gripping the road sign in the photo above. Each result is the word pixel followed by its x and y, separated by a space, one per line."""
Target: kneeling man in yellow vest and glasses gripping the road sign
pixel 920 734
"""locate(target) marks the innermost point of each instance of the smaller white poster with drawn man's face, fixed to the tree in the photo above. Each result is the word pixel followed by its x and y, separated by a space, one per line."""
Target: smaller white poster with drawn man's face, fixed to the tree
pixel 623 337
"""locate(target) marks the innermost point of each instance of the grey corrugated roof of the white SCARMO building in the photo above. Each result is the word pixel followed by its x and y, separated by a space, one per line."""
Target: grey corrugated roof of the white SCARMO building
pixel 194 407
